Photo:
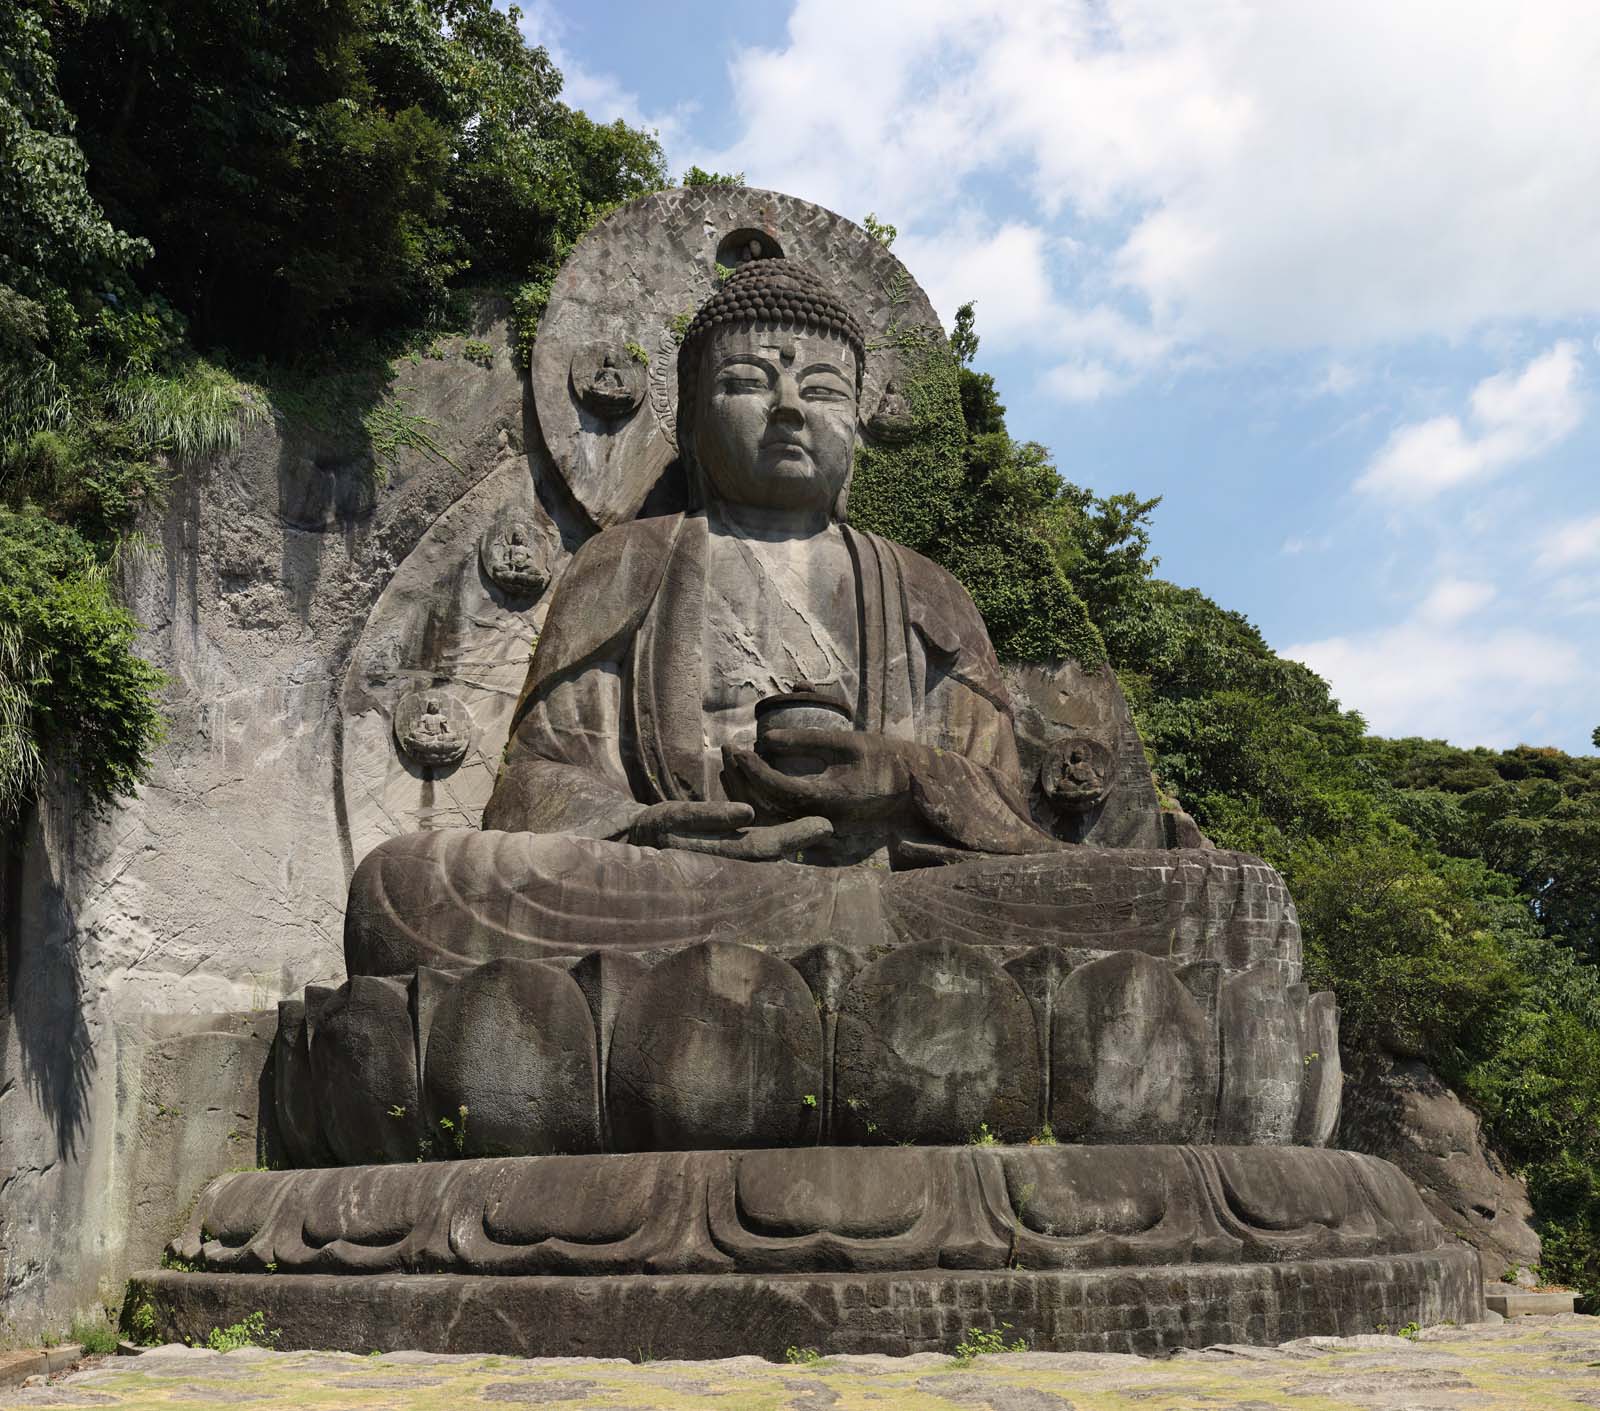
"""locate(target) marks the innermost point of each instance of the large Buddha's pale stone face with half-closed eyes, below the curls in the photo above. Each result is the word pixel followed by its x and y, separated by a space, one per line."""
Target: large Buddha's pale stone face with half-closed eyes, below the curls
pixel 777 418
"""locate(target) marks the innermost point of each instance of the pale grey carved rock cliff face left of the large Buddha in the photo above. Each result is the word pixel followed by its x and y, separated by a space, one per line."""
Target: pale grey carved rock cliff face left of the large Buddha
pixel 220 890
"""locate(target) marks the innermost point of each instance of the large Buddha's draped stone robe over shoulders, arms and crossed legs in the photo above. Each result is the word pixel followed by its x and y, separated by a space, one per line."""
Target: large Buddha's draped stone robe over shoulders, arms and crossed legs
pixel 614 719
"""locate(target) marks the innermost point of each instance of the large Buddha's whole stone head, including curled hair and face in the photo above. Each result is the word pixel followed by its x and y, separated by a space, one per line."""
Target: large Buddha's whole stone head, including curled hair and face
pixel 769 393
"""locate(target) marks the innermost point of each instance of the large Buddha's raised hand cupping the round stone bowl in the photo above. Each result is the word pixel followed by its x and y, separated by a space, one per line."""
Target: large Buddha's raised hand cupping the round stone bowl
pixel 841 775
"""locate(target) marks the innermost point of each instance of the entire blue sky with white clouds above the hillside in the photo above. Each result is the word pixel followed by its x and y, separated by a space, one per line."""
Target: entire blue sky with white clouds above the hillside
pixel 1324 278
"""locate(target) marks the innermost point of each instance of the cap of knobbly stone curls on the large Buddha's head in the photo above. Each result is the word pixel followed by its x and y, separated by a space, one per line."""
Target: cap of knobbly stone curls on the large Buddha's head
pixel 766 292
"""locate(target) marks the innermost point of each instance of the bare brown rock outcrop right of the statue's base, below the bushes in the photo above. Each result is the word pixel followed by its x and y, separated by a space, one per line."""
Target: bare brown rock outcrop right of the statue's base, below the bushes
pixel 1401 1111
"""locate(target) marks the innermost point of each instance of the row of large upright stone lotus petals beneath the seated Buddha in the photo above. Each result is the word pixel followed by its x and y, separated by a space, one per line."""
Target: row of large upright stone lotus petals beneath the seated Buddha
pixel 1116 1047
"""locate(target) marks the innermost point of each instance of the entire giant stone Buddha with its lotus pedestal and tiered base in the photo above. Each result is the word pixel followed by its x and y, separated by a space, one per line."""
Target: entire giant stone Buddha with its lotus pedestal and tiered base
pixel 769 1009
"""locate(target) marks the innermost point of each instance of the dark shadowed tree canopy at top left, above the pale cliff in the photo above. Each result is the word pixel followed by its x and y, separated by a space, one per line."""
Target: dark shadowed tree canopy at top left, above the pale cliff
pixel 335 162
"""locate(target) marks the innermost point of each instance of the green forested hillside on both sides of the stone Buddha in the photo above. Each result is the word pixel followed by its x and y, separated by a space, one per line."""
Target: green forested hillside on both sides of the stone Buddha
pixel 273 202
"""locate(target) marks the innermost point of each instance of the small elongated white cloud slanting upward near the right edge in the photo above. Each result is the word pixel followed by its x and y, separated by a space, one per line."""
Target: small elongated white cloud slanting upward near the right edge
pixel 1514 417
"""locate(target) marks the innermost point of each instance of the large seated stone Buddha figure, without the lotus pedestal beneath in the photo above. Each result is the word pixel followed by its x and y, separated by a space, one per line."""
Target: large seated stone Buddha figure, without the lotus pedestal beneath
pixel 641 809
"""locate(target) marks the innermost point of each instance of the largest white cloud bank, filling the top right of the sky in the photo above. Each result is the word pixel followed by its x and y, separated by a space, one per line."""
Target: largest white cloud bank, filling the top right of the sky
pixel 1294 174
